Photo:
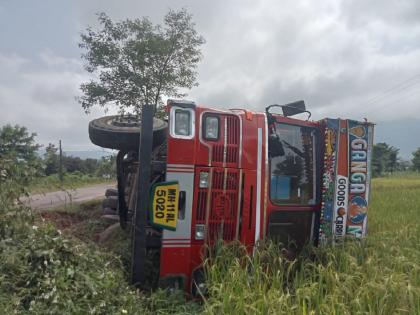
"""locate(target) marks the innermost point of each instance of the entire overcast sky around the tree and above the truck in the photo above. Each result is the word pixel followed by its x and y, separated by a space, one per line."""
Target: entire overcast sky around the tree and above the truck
pixel 351 59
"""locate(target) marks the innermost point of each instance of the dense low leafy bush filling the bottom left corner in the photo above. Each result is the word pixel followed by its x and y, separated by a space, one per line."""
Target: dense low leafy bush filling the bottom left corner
pixel 43 272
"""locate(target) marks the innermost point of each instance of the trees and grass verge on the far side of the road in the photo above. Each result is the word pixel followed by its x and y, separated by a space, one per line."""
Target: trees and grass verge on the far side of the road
pixel 44 172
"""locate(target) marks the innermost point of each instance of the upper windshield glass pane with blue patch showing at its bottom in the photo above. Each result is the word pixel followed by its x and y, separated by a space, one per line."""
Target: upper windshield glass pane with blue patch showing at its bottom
pixel 292 165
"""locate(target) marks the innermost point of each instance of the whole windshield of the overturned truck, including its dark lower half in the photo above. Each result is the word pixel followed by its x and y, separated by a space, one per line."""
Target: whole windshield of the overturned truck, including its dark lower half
pixel 294 180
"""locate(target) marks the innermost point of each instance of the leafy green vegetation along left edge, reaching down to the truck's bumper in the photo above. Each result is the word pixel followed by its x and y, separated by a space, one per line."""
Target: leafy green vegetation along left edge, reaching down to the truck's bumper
pixel 46 271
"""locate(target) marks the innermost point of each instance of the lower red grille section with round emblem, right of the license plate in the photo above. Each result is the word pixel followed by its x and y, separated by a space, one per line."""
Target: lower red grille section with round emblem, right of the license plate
pixel 223 205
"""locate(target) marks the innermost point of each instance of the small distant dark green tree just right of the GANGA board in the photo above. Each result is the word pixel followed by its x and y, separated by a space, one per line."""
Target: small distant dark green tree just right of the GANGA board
pixel 384 159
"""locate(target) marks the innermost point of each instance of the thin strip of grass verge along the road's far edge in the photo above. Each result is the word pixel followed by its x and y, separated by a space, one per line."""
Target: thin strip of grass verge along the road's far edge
pixel 70 181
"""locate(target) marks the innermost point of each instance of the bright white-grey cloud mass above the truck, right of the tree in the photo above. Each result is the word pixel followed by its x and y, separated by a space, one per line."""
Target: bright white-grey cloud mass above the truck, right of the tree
pixel 337 55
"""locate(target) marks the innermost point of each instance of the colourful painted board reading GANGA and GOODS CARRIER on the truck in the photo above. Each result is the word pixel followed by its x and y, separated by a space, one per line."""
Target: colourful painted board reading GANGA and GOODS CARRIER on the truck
pixel 346 179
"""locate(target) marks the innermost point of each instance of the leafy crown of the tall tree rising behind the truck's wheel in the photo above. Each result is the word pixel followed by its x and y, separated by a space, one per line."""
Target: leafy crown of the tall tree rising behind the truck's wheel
pixel 136 62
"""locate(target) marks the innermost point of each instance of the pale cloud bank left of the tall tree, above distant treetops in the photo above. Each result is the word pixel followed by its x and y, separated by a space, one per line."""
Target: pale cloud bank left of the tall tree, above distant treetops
pixel 41 96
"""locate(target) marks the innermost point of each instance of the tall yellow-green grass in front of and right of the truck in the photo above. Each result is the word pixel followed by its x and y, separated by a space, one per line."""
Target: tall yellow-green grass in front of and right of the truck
pixel 378 275
